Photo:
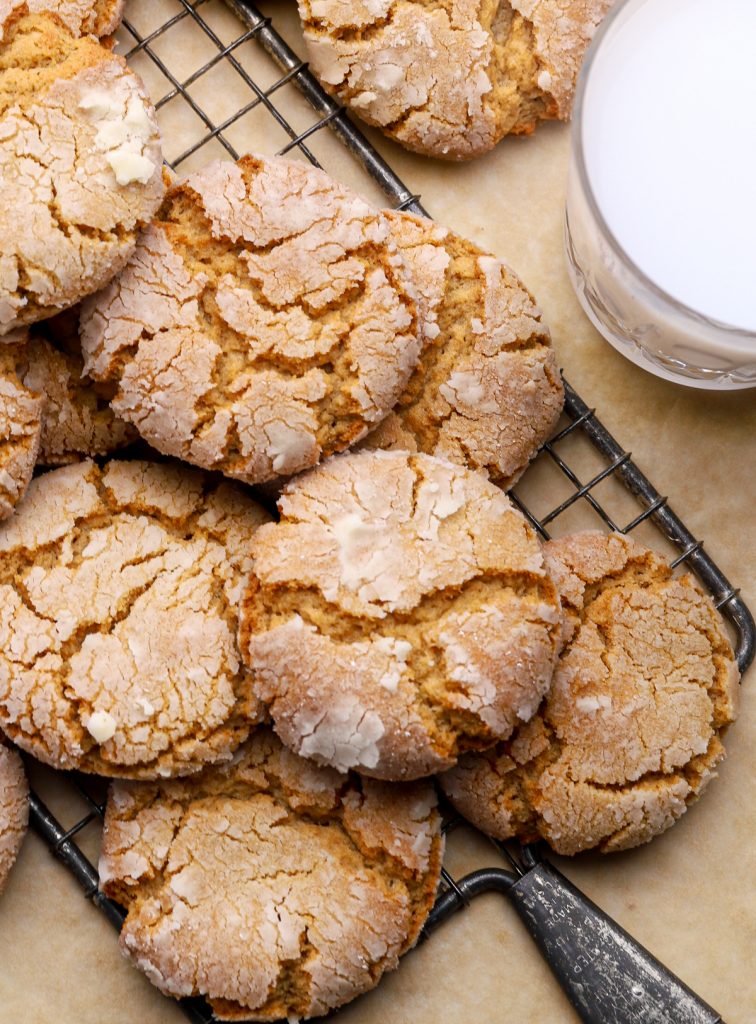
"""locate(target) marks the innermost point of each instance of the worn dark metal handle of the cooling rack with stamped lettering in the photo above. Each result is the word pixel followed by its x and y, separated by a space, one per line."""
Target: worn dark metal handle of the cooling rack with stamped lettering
pixel 606 974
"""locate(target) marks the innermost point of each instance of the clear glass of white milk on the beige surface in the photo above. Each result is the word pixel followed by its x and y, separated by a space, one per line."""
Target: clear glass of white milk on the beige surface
pixel 661 211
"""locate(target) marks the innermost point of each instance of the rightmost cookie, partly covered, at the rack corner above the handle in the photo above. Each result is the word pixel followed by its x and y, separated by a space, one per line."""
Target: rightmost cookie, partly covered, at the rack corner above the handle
pixel 631 733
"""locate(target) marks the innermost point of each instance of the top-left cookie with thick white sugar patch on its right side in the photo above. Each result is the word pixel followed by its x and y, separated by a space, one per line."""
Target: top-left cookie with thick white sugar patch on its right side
pixel 80 166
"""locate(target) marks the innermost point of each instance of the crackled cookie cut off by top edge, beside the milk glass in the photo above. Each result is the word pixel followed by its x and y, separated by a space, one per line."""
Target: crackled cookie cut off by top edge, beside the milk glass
pixel 451 78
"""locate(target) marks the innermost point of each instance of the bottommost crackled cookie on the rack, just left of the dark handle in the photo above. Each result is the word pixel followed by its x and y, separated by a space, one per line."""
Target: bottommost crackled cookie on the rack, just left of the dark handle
pixel 271 886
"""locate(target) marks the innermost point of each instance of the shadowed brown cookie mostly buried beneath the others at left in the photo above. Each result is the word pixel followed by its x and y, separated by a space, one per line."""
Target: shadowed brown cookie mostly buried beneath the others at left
pixel 78 421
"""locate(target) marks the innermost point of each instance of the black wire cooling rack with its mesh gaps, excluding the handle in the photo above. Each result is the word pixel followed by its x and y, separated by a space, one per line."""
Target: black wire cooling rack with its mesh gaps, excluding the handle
pixel 584 465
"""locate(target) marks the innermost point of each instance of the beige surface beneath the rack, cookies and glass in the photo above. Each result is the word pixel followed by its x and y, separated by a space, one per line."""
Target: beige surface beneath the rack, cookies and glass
pixel 689 897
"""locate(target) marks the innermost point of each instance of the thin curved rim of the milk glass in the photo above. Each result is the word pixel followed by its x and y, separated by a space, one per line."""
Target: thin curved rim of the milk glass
pixel 578 155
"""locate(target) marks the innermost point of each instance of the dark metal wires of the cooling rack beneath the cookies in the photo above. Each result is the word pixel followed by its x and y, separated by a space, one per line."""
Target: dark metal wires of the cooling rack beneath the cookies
pixel 581 422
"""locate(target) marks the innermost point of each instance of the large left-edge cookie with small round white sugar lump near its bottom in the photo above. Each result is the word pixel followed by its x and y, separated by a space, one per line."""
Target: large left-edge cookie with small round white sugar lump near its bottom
pixel 118 617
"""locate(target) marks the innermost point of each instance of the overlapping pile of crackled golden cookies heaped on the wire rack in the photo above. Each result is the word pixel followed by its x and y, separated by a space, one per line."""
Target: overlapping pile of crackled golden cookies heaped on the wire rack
pixel 272 694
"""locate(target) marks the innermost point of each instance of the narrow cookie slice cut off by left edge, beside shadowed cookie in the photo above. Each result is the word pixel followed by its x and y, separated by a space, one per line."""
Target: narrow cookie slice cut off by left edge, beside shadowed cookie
pixel 21 423
